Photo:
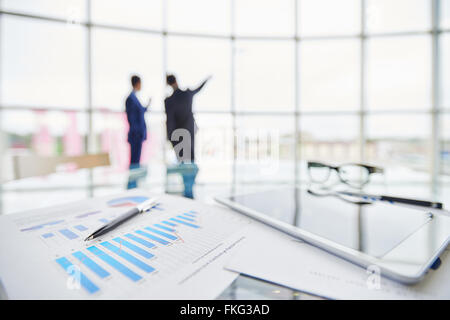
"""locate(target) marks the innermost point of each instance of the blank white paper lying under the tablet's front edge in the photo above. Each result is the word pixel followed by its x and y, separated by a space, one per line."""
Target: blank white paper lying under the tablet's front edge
pixel 273 256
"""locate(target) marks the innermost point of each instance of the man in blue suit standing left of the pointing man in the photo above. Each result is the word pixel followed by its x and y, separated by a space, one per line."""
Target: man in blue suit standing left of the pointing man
pixel 138 129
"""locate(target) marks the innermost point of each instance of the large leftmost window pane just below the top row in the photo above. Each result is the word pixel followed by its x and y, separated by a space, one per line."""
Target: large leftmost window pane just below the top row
pixel 43 64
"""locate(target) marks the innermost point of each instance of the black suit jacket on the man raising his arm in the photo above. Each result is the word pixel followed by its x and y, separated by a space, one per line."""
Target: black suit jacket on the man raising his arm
pixel 179 111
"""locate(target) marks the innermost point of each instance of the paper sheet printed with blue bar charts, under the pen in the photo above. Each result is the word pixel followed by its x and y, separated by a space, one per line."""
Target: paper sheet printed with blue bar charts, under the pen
pixel 175 251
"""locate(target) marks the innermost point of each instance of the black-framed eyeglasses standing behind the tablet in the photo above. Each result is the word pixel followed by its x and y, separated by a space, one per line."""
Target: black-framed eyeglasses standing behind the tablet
pixel 353 174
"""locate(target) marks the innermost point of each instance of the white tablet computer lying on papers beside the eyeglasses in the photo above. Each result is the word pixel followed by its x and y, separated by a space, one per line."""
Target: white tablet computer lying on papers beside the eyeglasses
pixel 402 242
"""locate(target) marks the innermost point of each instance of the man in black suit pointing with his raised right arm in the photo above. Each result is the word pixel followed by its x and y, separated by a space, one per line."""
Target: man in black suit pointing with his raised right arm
pixel 179 113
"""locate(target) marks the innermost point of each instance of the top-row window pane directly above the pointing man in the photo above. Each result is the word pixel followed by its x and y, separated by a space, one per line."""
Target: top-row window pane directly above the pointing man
pixel 199 16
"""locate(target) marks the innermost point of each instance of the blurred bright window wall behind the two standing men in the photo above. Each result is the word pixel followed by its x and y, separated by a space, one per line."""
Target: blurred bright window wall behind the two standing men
pixel 293 80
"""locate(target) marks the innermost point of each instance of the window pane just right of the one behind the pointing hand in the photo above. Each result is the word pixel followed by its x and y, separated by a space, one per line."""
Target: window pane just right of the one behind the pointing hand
pixel 265 75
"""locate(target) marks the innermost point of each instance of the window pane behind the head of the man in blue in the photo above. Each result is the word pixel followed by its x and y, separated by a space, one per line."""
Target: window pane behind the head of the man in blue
pixel 116 56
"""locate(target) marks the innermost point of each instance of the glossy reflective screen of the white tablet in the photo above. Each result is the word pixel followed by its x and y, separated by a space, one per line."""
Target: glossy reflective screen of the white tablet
pixel 374 229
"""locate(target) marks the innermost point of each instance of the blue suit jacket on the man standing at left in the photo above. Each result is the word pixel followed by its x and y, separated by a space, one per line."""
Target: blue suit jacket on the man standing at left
pixel 135 115
